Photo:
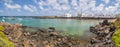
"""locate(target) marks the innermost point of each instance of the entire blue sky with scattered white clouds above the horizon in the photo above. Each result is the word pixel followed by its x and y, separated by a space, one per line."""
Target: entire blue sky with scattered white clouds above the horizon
pixel 57 7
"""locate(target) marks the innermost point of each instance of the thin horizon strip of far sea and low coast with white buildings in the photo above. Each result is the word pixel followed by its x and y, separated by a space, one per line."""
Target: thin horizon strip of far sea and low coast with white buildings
pixel 68 16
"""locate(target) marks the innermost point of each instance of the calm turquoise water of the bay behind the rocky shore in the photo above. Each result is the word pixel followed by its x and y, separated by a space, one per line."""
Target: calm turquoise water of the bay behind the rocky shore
pixel 69 26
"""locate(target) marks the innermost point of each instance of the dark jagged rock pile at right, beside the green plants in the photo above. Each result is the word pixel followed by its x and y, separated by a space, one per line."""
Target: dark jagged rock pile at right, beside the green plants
pixel 104 32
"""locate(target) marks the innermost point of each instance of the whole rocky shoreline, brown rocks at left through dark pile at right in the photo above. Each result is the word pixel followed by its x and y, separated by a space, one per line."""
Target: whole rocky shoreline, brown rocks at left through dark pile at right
pixel 23 36
